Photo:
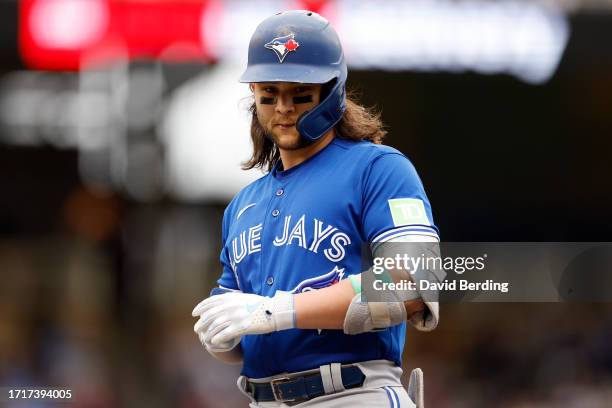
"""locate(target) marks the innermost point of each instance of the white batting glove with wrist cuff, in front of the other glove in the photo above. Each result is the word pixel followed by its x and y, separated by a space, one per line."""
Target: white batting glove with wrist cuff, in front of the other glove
pixel 223 318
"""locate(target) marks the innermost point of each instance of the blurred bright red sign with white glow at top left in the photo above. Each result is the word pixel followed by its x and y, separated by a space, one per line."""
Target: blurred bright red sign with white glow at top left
pixel 78 34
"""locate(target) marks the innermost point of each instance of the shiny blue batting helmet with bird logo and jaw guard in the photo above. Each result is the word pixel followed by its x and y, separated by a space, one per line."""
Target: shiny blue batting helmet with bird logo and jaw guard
pixel 302 47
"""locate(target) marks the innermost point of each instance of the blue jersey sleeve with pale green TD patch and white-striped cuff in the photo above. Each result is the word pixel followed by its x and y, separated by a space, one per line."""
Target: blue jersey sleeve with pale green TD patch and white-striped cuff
pixel 395 205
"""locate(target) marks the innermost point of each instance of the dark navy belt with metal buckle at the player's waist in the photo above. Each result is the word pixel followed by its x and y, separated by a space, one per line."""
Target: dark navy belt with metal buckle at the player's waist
pixel 301 387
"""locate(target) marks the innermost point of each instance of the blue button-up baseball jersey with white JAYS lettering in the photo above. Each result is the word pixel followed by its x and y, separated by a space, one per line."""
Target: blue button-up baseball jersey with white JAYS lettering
pixel 304 229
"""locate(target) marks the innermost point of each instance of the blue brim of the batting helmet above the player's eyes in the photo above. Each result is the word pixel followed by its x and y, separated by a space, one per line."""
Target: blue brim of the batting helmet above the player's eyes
pixel 296 73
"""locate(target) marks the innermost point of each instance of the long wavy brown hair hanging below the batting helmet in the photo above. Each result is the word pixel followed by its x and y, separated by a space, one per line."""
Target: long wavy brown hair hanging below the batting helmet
pixel 357 123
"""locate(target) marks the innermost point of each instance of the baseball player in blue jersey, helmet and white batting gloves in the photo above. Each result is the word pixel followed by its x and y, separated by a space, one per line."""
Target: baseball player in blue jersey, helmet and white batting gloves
pixel 288 306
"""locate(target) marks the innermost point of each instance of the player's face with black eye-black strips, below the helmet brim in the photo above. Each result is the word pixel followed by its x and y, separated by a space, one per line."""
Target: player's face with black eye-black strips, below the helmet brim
pixel 279 105
